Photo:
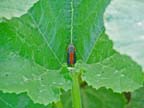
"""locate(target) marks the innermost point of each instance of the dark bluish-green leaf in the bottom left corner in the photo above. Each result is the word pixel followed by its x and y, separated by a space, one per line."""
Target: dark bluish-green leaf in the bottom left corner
pixel 18 101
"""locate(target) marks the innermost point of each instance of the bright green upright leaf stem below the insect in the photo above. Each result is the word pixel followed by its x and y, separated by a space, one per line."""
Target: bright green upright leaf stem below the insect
pixel 76 98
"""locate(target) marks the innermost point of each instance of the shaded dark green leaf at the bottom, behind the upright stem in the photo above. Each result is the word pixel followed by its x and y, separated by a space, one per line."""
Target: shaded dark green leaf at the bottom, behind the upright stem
pixel 91 98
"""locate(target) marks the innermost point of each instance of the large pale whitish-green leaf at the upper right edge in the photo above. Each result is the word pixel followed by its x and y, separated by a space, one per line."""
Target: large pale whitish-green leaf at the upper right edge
pixel 124 23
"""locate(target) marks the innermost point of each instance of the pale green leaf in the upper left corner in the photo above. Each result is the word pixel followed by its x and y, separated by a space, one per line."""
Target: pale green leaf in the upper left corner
pixel 15 8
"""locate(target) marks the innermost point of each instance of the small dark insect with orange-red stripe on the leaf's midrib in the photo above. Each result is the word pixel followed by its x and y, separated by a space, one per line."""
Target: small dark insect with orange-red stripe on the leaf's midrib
pixel 71 55
